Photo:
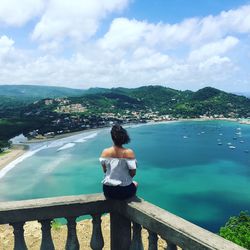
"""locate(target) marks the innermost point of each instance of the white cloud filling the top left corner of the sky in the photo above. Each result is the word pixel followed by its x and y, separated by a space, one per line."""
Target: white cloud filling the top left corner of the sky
pixel 18 12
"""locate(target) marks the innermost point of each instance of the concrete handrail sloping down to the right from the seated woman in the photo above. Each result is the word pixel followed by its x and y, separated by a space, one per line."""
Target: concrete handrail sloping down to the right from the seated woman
pixel 173 228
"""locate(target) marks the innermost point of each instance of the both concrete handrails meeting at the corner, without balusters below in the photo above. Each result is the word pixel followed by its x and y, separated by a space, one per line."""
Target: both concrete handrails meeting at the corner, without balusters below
pixel 169 226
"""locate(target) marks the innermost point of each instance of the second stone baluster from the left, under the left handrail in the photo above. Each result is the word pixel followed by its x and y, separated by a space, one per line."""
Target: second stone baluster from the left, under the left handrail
pixel 47 243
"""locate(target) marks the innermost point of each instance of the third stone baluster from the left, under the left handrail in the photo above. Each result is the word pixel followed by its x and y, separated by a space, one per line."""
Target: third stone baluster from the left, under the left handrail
pixel 72 241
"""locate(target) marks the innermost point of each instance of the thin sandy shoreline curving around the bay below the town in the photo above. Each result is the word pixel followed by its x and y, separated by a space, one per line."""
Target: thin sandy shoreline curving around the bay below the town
pixel 18 150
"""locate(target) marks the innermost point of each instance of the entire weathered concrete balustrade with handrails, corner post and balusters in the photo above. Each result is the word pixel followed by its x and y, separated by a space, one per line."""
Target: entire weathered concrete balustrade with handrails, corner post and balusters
pixel 175 230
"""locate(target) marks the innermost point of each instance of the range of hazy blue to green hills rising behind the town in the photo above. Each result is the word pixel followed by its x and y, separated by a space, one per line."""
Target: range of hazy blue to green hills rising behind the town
pixel 206 101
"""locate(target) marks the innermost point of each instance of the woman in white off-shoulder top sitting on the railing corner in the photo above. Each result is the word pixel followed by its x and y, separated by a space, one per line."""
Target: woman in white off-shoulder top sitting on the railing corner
pixel 119 166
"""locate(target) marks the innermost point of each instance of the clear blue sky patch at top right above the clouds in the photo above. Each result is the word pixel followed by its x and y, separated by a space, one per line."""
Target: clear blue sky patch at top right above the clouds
pixel 172 11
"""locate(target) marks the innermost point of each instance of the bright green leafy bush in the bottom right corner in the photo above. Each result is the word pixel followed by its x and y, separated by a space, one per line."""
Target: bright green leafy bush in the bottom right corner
pixel 237 229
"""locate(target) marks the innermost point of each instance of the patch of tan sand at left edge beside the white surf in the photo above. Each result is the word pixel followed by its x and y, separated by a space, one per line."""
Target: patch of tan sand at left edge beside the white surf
pixel 13 153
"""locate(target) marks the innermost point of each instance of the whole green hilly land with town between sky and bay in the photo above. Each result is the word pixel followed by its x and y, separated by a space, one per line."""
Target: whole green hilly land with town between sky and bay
pixel 28 108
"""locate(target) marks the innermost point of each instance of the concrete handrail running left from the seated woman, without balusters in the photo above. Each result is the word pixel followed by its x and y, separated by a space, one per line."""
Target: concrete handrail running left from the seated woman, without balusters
pixel 50 208
